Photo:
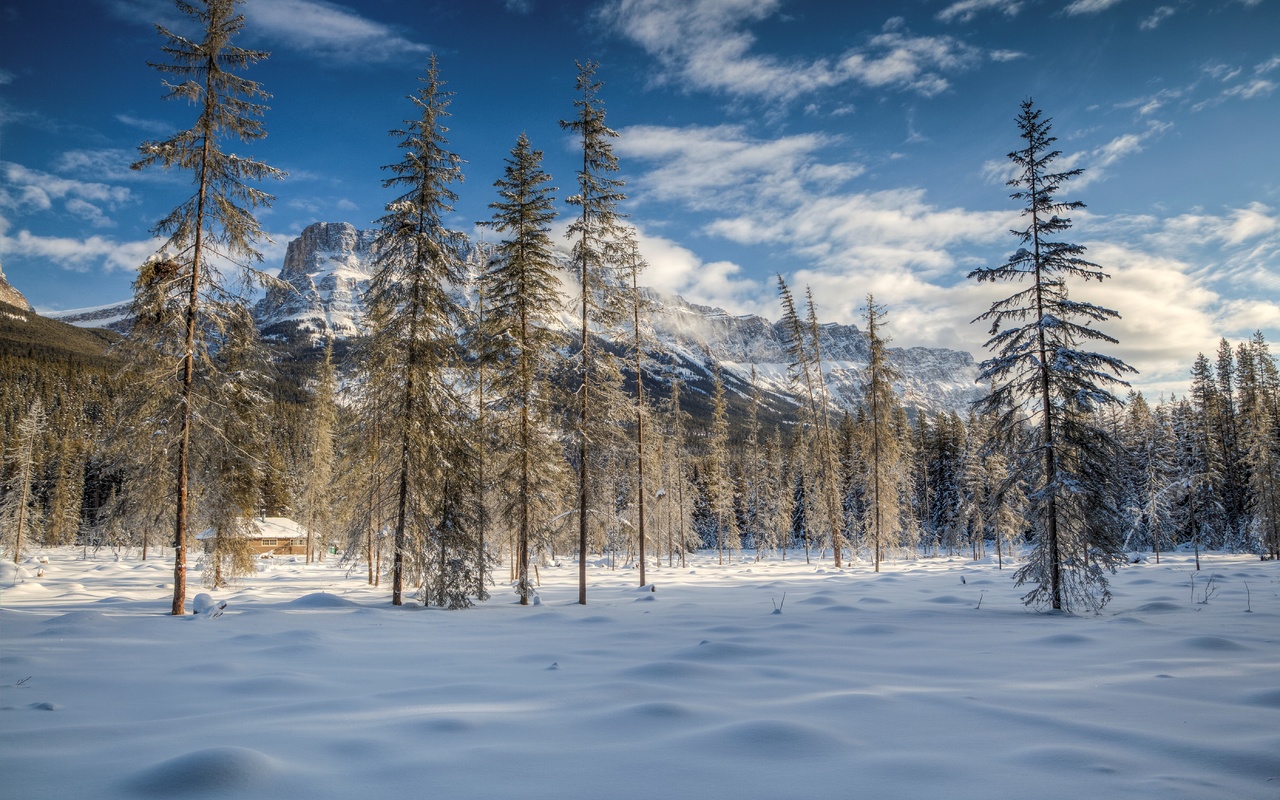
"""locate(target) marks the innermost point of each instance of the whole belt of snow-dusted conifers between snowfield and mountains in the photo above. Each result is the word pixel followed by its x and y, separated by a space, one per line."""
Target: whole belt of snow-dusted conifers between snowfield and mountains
pixel 463 442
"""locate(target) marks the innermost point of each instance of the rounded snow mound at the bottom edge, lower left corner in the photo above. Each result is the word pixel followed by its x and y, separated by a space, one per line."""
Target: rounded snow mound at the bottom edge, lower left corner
pixel 216 771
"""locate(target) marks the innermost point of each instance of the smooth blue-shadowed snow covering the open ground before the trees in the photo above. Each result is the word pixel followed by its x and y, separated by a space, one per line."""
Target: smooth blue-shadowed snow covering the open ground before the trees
pixel 907 684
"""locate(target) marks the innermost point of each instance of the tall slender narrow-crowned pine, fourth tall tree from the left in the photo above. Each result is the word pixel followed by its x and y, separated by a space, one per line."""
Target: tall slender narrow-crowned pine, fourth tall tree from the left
pixel 593 234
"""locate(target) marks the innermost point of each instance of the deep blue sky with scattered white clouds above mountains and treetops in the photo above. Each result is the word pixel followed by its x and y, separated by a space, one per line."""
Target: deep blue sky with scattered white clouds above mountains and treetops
pixel 852 147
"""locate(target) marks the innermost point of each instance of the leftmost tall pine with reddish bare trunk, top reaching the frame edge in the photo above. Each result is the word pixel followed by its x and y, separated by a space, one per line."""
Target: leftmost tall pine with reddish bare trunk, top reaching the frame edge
pixel 218 217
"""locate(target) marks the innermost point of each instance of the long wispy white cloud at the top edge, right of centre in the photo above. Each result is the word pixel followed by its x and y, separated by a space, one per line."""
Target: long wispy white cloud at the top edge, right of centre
pixel 707 45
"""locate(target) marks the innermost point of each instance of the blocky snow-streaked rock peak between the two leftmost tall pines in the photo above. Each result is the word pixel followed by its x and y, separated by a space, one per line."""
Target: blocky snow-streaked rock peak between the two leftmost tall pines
pixel 327 269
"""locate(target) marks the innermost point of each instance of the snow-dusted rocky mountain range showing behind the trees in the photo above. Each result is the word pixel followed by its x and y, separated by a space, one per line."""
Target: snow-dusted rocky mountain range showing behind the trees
pixel 328 268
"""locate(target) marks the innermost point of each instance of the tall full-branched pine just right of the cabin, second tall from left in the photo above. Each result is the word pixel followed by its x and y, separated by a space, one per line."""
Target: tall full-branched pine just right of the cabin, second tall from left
pixel 413 349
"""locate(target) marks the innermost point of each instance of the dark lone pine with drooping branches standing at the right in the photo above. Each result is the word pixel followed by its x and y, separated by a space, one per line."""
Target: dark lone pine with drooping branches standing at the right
pixel 1039 371
